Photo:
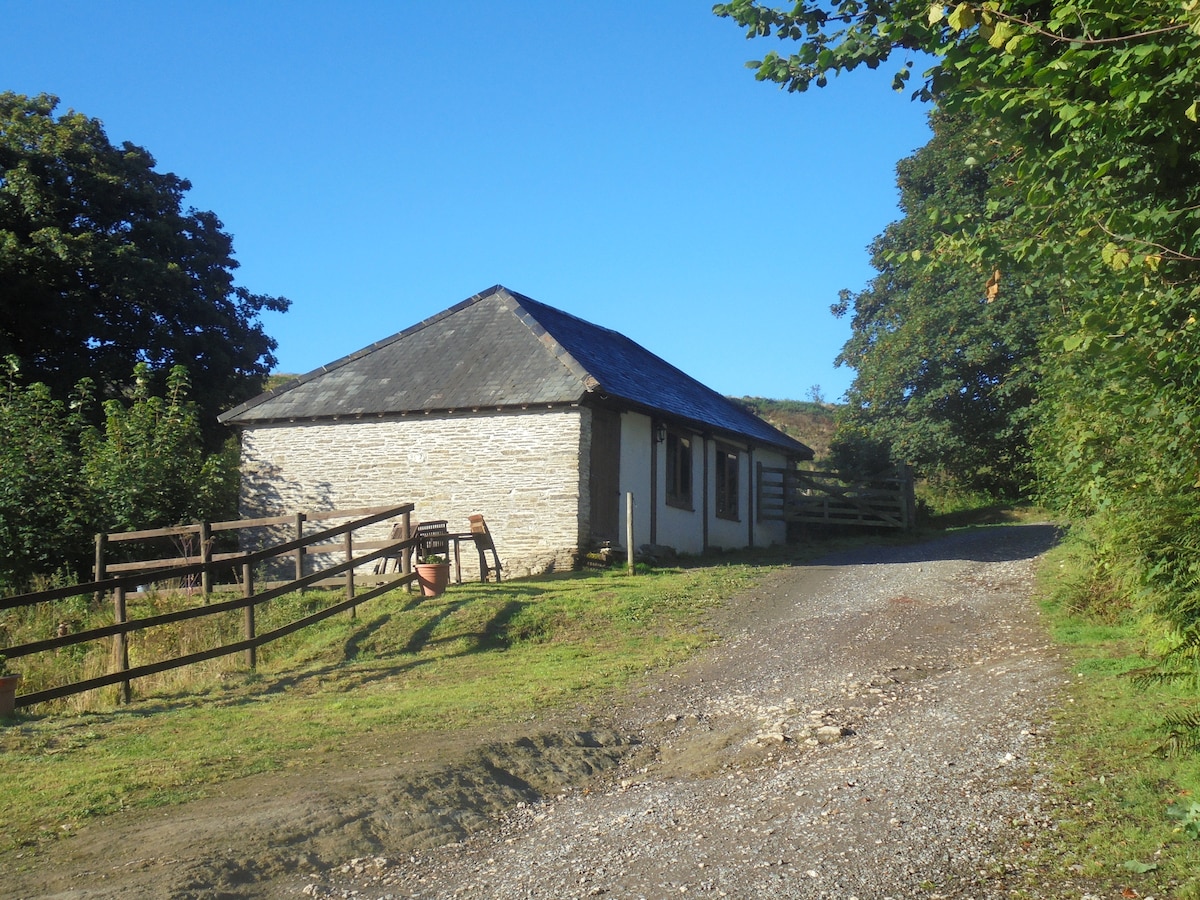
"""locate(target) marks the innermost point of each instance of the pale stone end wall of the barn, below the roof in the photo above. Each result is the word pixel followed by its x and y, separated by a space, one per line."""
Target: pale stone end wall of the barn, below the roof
pixel 520 470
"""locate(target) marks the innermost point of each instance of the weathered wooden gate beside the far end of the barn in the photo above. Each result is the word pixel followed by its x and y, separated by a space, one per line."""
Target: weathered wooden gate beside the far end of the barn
pixel 826 499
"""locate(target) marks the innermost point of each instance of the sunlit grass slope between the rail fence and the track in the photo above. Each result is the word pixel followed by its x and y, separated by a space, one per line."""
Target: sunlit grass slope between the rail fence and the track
pixel 479 655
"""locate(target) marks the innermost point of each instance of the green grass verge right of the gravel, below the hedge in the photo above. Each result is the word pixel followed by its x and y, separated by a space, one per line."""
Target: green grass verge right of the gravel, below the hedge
pixel 1123 801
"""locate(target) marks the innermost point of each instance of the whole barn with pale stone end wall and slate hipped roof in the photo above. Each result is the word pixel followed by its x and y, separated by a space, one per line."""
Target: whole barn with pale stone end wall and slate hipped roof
pixel 535 418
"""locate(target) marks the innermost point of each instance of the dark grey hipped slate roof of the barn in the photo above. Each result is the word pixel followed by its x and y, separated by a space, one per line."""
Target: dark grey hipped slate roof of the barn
pixel 502 350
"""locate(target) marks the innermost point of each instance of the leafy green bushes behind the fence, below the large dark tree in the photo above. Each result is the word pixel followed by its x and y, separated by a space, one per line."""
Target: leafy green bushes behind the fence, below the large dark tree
pixel 63 479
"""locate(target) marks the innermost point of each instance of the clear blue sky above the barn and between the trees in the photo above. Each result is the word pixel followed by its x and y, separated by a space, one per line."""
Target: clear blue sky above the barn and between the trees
pixel 377 163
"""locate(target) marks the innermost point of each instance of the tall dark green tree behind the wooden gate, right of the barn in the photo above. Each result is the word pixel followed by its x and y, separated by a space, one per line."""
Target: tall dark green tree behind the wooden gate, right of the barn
pixel 946 368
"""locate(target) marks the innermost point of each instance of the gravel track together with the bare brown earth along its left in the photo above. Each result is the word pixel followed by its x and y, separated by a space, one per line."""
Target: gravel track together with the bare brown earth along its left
pixel 865 729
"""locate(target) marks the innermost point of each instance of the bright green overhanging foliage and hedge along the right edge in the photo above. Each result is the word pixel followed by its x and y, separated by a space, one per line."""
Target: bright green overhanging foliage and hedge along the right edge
pixel 1095 188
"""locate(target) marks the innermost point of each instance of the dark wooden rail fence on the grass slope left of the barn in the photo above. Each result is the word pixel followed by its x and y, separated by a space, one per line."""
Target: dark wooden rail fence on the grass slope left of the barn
pixel 159 571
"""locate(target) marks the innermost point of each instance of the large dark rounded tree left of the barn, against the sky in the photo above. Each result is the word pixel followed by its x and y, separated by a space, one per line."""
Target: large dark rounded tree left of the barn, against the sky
pixel 103 269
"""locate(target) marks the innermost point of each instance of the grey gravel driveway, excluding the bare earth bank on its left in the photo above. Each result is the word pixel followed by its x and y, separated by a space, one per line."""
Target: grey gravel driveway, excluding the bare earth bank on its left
pixel 867 729
